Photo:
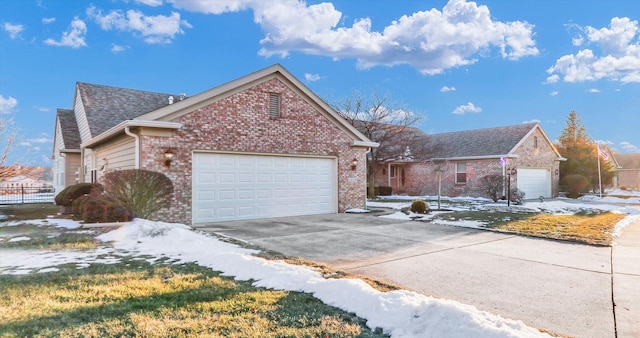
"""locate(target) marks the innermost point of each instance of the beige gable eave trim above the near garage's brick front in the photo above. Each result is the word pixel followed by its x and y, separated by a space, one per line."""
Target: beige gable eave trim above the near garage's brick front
pixel 170 112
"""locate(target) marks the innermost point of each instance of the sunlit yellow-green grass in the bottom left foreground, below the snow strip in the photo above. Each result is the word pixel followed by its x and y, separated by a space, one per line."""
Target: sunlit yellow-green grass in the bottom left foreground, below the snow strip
pixel 135 298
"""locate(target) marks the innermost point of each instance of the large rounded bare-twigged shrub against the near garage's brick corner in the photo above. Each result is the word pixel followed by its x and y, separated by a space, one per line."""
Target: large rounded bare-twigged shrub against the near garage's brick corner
pixel 143 192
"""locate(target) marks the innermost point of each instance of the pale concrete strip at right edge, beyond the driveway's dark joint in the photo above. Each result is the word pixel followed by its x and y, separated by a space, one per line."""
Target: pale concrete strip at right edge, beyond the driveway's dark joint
pixel 626 281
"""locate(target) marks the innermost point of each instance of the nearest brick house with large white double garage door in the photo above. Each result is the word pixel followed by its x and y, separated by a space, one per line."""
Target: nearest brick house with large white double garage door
pixel 263 145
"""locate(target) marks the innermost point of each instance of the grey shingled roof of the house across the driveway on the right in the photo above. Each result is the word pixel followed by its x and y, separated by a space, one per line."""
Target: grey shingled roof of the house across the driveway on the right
pixel 478 143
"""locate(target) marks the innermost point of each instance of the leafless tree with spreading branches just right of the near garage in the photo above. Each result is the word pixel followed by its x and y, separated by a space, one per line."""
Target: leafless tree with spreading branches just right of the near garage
pixel 385 124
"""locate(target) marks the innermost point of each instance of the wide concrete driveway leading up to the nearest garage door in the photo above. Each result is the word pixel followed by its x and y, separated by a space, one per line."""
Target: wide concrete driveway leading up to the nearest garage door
pixel 558 286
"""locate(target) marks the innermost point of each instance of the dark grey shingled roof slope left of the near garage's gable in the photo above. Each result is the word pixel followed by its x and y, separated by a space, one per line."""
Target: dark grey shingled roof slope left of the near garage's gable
pixel 106 106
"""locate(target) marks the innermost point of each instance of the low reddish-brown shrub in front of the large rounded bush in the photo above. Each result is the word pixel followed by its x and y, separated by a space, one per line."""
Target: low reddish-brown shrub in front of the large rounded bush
pixel 100 209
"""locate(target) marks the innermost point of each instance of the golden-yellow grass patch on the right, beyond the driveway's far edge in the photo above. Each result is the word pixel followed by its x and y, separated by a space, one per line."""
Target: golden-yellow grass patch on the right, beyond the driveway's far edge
pixel 591 229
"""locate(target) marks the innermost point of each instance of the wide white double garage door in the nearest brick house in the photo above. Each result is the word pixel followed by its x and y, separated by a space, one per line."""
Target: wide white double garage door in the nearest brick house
pixel 236 187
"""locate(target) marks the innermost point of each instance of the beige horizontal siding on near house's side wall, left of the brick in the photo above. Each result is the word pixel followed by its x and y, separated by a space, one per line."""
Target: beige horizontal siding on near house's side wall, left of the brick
pixel 118 154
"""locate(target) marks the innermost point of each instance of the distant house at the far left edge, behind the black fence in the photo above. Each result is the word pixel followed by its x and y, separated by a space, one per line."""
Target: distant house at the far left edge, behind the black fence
pixel 25 176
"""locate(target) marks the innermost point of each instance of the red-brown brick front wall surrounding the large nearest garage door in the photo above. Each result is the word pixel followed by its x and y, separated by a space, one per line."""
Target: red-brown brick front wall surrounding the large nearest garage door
pixel 241 123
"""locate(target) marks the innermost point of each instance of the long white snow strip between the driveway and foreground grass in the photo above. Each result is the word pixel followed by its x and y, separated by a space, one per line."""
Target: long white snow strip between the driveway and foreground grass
pixel 400 313
